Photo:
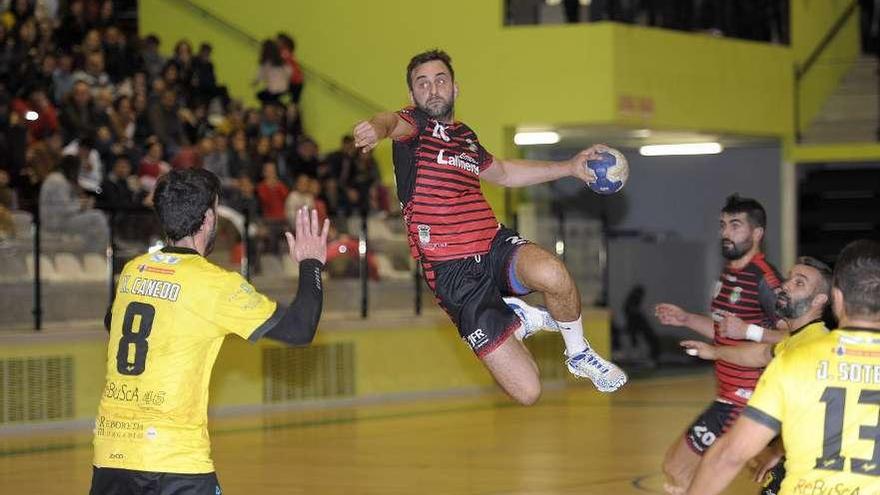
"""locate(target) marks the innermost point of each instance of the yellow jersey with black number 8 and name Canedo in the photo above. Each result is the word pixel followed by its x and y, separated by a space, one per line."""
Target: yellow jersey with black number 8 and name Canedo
pixel 171 312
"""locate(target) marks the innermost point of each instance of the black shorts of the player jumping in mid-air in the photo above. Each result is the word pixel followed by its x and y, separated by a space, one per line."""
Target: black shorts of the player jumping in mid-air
pixel 470 291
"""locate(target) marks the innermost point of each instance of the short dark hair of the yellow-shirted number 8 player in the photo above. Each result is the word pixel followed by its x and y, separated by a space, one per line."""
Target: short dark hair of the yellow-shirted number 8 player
pixel 182 198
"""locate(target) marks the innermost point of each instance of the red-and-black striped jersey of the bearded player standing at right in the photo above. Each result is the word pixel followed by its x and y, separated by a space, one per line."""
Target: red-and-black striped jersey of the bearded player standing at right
pixel 750 294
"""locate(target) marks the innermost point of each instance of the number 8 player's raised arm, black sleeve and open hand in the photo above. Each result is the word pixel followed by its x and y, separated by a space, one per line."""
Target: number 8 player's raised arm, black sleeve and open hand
pixel 309 249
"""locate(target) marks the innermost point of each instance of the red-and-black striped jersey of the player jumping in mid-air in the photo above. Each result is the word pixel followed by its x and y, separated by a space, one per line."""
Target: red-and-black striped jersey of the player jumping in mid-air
pixel 437 169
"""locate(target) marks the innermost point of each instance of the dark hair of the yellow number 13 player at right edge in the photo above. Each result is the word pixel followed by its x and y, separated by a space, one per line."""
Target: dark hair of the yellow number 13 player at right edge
pixel 857 275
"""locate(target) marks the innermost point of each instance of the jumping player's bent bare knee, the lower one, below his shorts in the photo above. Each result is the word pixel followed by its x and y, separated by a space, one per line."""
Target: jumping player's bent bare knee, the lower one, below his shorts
pixel 515 370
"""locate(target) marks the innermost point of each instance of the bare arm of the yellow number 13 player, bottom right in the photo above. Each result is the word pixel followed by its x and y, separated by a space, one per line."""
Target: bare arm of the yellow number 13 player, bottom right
pixel 728 456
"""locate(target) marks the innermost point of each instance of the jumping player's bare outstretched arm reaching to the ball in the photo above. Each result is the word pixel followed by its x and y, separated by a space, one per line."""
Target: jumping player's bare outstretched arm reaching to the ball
pixel 520 173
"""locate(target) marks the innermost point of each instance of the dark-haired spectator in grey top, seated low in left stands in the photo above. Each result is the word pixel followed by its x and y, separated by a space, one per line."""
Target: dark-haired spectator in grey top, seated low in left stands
pixel 65 210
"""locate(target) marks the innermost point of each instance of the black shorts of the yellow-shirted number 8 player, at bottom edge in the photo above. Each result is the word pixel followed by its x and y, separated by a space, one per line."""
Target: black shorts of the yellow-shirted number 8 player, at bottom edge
pixel 112 481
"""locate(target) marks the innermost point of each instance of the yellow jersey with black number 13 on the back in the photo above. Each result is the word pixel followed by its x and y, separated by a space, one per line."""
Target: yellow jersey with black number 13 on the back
pixel 824 397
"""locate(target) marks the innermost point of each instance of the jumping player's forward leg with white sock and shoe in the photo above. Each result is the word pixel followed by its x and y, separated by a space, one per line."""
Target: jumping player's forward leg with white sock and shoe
pixel 540 270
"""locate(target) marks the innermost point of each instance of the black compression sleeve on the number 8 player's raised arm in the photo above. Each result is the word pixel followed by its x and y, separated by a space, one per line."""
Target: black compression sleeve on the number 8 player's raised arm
pixel 300 320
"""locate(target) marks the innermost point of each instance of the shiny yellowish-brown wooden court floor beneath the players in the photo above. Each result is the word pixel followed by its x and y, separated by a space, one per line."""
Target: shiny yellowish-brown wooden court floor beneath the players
pixel 569 443
